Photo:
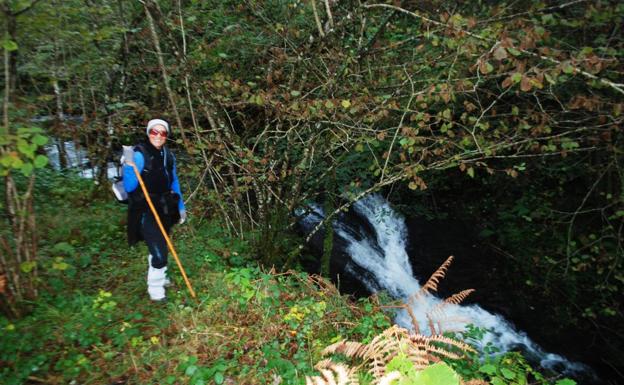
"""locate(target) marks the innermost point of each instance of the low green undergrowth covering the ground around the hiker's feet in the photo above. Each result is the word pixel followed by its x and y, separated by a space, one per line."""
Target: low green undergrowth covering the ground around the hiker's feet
pixel 94 324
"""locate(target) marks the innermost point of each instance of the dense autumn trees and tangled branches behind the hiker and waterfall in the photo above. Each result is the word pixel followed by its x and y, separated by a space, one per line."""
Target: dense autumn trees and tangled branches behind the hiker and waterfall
pixel 502 115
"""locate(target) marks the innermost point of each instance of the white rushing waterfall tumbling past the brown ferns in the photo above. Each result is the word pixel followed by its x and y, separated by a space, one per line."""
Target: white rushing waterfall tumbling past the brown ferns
pixel 380 262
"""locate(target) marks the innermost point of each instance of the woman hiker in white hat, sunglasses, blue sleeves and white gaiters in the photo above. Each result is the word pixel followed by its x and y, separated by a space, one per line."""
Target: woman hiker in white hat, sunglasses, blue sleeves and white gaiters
pixel 157 167
